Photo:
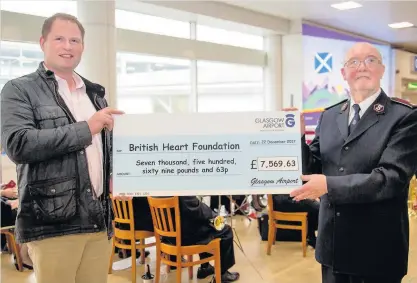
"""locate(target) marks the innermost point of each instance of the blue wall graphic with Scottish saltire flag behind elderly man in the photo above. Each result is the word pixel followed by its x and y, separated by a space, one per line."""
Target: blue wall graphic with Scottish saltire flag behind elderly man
pixel 324 52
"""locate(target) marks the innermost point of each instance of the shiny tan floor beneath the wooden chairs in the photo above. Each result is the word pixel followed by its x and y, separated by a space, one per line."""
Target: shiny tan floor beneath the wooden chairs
pixel 284 265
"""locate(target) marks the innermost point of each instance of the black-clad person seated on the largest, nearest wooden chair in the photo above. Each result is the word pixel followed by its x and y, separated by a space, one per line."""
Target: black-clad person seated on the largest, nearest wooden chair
pixel 196 230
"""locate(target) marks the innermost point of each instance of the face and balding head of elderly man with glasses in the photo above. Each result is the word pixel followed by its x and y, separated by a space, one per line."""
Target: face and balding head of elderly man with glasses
pixel 363 69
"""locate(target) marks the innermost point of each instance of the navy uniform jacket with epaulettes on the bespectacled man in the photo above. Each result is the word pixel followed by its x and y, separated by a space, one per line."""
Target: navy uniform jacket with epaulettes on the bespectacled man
pixel 363 220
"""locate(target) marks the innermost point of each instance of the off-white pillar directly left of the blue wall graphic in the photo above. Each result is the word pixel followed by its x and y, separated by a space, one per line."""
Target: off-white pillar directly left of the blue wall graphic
pixel 292 67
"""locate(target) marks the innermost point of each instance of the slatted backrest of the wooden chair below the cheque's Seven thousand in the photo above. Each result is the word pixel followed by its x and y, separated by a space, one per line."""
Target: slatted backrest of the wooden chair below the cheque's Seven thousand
pixel 166 217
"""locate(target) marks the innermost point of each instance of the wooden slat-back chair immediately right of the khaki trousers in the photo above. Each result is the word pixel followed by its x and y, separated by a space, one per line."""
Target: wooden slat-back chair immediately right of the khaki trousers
pixel 123 214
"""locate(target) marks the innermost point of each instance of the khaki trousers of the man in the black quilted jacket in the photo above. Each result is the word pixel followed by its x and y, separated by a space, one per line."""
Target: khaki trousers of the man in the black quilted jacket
pixel 80 258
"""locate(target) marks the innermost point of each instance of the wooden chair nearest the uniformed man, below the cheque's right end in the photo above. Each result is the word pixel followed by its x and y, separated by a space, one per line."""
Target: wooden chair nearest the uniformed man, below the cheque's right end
pixel 275 216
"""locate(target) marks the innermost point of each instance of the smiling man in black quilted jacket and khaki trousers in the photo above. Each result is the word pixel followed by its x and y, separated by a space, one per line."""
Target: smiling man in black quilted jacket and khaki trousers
pixel 56 127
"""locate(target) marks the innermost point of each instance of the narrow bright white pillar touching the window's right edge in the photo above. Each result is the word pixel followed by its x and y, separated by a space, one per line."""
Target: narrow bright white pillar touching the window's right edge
pixel 273 73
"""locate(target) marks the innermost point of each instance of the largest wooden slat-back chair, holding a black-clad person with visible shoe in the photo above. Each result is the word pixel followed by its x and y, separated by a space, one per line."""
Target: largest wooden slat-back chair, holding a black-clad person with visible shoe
pixel 168 225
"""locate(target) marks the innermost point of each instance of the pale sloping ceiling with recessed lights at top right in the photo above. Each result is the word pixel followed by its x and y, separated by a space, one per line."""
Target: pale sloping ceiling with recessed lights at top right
pixel 370 20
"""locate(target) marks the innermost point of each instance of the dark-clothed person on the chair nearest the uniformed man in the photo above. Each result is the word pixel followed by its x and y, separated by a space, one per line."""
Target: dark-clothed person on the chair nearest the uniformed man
pixel 284 203
